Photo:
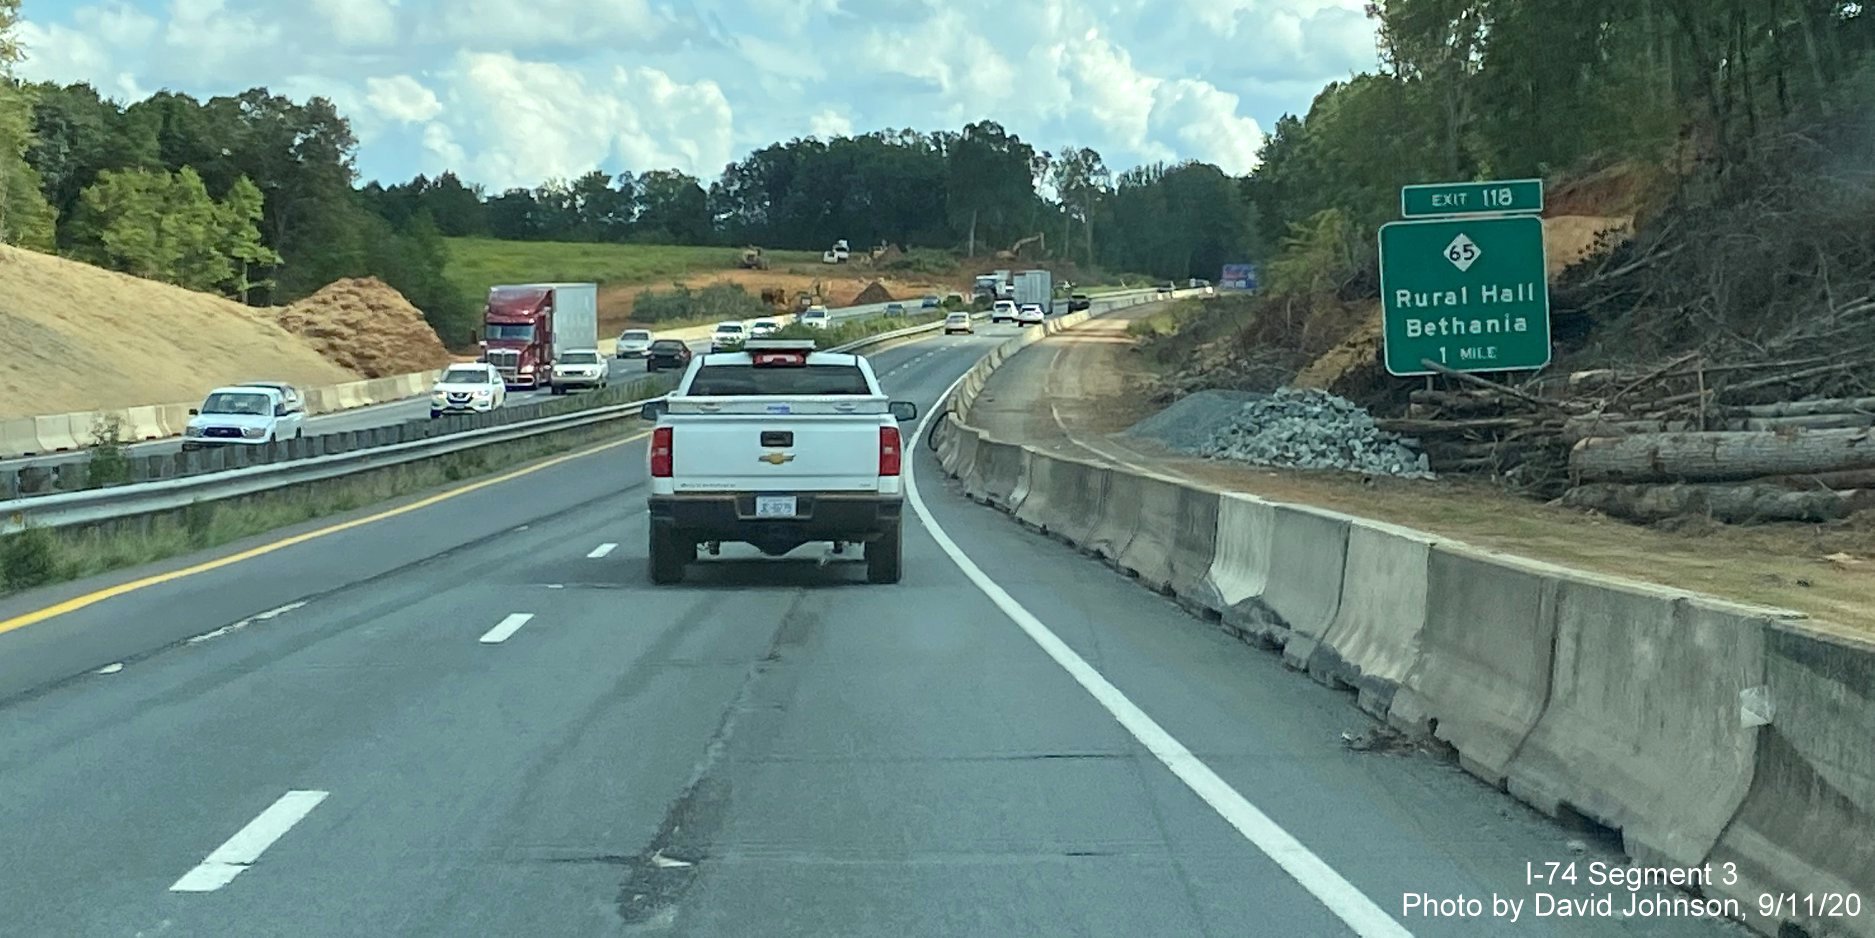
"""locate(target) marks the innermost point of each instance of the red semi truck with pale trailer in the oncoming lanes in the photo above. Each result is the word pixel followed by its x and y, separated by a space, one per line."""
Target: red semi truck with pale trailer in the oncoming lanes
pixel 528 327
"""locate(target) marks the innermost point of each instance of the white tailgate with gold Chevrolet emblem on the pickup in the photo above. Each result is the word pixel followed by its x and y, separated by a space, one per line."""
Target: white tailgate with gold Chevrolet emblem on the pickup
pixel 817 453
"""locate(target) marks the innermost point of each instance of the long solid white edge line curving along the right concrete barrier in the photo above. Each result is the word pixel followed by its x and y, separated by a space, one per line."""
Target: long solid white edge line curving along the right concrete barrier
pixel 1308 870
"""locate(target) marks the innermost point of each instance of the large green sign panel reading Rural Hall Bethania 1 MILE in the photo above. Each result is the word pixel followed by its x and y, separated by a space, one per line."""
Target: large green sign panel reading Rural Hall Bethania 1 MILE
pixel 1469 294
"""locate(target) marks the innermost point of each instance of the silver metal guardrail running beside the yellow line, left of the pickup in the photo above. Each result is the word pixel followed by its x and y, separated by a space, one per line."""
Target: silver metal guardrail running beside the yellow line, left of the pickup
pixel 76 509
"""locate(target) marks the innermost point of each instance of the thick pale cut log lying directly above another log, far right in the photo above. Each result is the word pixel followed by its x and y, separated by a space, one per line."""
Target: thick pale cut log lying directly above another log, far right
pixel 1722 457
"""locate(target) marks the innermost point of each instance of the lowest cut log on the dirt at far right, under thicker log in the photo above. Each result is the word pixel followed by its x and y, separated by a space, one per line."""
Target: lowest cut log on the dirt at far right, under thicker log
pixel 1722 504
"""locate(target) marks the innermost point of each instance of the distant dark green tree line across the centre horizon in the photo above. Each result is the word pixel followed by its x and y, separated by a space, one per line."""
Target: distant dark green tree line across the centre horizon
pixel 978 190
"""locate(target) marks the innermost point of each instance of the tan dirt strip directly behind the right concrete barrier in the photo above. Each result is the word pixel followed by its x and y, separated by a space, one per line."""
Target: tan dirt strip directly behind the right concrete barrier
pixel 1077 393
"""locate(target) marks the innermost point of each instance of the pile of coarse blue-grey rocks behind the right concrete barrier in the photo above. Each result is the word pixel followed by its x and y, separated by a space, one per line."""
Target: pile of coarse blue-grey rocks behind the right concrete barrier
pixel 1313 431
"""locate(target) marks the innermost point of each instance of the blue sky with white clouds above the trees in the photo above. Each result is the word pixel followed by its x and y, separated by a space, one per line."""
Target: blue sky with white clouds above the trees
pixel 511 93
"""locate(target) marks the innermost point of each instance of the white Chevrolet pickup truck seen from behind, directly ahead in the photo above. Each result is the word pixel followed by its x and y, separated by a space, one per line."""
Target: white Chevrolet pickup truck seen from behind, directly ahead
pixel 777 446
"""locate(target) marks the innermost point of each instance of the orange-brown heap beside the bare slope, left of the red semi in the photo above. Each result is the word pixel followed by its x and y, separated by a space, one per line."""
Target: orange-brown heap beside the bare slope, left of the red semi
pixel 367 325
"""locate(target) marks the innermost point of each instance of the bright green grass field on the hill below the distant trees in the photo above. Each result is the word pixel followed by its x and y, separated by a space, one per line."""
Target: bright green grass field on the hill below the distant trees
pixel 479 264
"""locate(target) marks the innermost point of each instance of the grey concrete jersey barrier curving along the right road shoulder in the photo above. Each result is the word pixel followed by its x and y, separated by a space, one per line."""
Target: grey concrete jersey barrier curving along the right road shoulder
pixel 1702 731
